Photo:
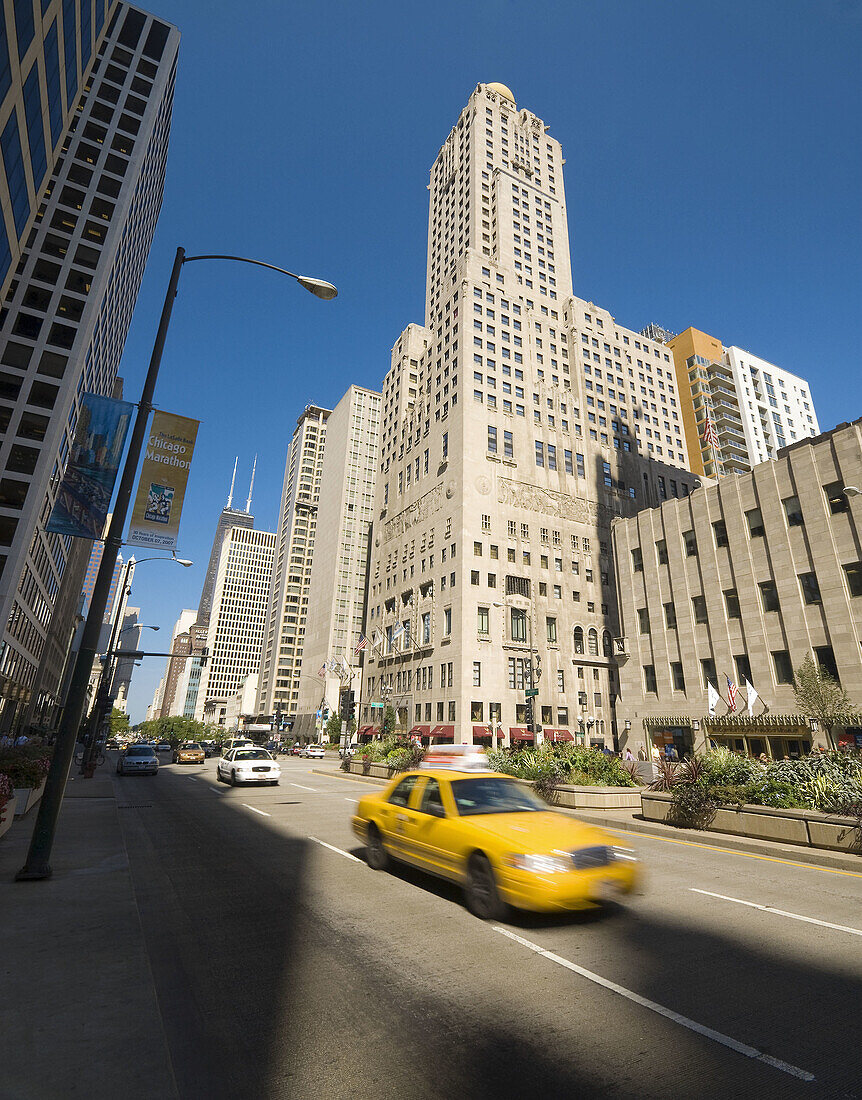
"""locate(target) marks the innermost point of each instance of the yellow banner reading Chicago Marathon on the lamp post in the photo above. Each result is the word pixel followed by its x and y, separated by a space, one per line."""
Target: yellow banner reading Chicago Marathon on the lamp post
pixel 159 503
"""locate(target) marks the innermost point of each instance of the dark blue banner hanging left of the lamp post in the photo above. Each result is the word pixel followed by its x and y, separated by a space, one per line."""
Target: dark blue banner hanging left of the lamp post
pixel 85 493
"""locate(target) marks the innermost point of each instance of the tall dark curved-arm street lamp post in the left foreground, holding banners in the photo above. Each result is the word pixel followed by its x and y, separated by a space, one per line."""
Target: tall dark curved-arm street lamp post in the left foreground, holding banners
pixel 38 865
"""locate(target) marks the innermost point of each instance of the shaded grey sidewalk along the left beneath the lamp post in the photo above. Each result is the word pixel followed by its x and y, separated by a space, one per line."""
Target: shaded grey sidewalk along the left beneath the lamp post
pixel 80 1010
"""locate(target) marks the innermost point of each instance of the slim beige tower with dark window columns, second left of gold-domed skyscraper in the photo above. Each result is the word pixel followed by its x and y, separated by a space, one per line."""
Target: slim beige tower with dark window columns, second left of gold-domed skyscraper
pixel 282 655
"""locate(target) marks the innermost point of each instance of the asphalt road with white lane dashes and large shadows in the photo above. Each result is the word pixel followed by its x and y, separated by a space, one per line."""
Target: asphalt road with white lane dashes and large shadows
pixel 286 967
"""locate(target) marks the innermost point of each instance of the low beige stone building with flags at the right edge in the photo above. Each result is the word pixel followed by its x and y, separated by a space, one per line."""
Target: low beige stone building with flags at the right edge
pixel 743 580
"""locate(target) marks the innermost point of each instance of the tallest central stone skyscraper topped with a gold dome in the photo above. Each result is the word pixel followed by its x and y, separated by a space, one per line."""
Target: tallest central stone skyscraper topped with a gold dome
pixel 516 424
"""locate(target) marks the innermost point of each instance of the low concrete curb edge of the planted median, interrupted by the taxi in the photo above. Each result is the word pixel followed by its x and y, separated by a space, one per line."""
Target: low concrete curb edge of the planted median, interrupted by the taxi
pixel 632 822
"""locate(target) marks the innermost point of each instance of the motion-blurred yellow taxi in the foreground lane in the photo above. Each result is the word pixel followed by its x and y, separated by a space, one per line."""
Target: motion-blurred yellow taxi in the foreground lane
pixel 496 839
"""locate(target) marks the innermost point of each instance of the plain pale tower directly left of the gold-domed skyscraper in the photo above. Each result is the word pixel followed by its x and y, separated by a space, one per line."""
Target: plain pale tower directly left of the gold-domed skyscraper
pixel 339 571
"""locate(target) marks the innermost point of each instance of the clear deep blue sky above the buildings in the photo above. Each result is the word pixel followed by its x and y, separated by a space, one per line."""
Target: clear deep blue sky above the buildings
pixel 713 179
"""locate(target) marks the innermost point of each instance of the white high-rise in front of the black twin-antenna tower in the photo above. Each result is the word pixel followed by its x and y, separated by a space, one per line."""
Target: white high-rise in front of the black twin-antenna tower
pixel 237 621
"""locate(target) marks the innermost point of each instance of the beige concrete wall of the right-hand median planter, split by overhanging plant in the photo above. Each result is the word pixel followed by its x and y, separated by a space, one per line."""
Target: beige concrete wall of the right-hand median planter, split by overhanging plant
pixel 805 828
